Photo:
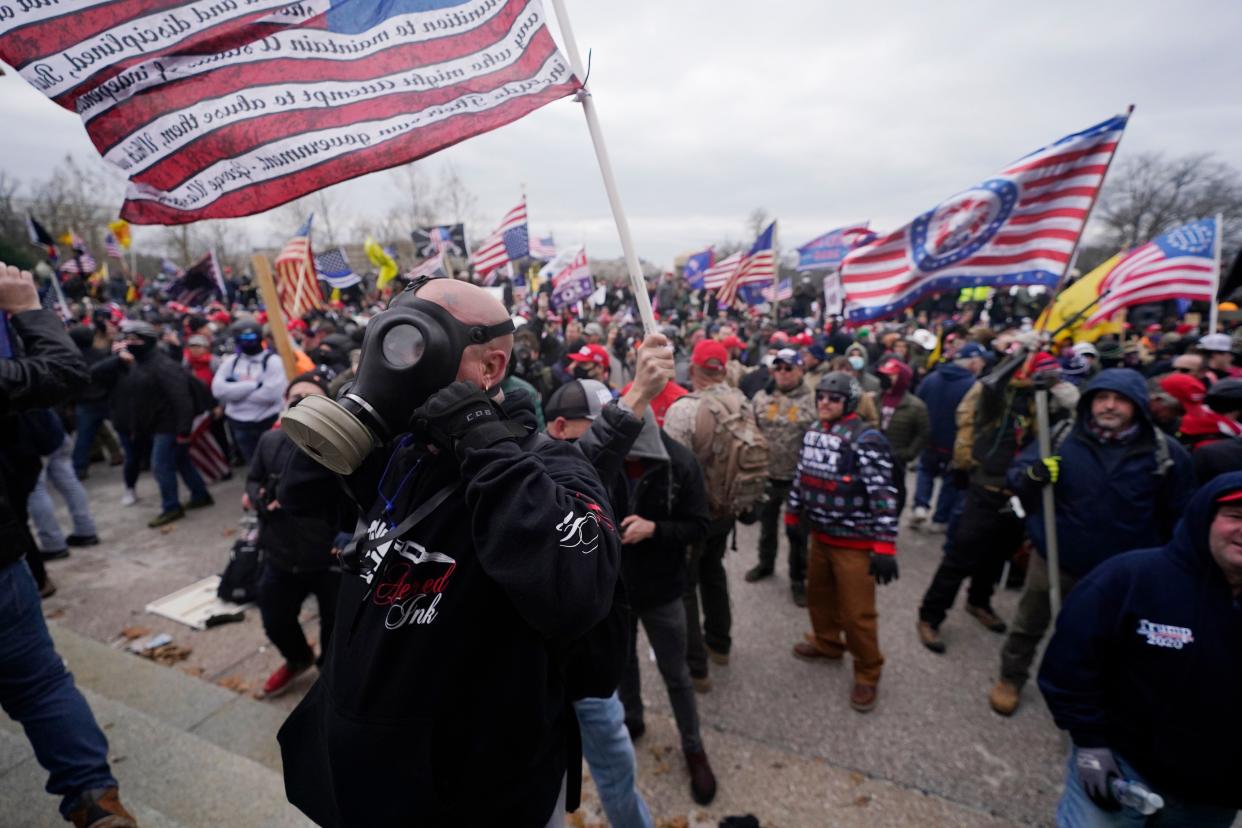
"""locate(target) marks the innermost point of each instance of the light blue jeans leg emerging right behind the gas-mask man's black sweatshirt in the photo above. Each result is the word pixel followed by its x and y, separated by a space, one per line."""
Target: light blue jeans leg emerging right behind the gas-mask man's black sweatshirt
pixel 609 754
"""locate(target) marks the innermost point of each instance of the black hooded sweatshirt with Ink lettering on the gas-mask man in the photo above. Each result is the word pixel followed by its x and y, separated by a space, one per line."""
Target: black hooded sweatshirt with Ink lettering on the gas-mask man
pixel 443 701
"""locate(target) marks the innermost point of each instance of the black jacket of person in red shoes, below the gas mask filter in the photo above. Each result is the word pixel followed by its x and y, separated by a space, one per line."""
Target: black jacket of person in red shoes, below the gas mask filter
pixel 299 536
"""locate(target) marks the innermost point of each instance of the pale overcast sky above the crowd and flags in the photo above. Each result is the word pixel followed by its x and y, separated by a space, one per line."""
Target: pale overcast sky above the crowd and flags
pixel 822 114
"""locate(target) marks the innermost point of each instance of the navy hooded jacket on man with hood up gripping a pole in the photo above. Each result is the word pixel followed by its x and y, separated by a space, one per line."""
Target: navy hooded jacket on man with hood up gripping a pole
pixel 1108 498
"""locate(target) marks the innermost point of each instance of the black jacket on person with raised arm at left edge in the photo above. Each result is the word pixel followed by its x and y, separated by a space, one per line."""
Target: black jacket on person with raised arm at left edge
pixel 44 371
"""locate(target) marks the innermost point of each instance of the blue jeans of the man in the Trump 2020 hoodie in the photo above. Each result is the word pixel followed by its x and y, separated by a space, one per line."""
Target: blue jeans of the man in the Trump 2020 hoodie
pixel 1077 811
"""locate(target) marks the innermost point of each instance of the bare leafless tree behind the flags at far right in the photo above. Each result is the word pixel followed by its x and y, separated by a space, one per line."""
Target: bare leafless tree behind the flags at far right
pixel 1148 194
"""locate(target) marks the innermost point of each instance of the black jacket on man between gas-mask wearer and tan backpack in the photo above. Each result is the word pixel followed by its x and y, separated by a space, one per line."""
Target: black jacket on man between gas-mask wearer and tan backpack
pixel 673 495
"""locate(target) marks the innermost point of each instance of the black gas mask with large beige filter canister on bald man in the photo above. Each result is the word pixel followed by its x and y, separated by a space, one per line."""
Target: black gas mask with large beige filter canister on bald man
pixel 410 351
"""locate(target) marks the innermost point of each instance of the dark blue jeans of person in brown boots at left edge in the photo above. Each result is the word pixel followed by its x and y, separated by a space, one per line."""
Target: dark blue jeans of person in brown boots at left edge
pixel 38 692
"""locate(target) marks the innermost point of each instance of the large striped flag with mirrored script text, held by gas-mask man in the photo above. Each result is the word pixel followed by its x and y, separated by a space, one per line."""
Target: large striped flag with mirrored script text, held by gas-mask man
pixel 224 109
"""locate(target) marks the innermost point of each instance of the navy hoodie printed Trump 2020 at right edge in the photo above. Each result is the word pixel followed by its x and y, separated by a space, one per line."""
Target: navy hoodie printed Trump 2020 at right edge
pixel 1146 662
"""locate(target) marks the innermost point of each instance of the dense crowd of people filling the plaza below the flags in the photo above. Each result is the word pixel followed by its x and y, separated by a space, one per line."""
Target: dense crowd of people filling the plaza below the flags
pixel 564 477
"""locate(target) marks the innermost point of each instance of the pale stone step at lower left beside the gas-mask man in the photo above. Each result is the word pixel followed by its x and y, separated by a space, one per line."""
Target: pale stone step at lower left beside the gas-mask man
pixel 186 753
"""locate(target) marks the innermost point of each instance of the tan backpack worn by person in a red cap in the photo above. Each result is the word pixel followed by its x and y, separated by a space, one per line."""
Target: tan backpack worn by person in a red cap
pixel 733 454
